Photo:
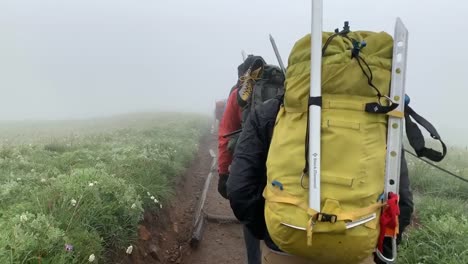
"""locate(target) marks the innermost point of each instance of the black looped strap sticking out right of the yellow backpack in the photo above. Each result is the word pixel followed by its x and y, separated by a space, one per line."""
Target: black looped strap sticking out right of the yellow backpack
pixel 416 139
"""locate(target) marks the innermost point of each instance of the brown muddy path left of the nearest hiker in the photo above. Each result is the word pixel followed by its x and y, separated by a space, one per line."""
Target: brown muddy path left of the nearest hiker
pixel 164 237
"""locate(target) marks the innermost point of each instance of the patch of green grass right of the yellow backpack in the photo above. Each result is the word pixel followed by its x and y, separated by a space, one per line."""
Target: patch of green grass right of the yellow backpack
pixel 441 204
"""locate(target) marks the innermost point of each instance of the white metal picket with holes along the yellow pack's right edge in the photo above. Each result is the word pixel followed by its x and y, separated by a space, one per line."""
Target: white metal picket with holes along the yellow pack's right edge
pixel 395 124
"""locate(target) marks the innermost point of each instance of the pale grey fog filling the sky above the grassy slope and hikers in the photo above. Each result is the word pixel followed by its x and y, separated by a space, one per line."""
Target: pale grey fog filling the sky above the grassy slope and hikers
pixel 84 58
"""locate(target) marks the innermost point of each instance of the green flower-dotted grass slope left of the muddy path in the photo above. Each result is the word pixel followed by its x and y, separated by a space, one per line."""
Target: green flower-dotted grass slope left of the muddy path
pixel 87 183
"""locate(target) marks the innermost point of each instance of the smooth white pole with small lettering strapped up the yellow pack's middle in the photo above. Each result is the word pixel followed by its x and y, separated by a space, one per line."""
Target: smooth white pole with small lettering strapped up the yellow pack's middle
pixel 315 111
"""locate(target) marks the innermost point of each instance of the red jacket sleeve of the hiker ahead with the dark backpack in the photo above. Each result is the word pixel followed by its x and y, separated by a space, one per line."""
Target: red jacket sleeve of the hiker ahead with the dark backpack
pixel 231 121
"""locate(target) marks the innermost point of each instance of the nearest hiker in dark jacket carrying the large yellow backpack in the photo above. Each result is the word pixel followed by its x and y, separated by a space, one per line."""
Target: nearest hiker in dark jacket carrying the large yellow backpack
pixel 354 77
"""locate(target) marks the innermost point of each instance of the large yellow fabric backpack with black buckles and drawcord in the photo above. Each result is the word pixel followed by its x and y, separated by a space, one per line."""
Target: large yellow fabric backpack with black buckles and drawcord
pixel 353 153
